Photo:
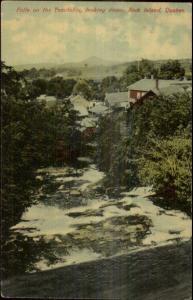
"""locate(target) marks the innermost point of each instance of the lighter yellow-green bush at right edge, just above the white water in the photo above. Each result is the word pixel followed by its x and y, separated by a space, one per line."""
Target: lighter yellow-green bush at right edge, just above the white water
pixel 167 167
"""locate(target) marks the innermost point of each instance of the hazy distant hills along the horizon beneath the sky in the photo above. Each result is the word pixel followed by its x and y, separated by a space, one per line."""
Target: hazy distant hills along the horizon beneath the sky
pixel 94 67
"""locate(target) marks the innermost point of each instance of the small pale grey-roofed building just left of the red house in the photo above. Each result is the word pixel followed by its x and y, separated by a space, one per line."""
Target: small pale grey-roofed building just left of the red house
pixel 117 100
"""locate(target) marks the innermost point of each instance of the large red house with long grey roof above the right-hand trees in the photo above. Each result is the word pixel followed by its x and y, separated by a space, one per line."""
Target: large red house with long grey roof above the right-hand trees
pixel 145 88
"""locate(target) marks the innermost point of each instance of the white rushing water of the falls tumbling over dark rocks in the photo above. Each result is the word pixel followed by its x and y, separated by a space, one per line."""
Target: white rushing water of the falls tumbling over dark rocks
pixel 73 222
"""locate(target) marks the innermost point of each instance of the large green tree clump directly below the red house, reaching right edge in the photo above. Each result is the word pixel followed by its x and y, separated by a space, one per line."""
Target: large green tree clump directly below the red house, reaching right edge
pixel 160 147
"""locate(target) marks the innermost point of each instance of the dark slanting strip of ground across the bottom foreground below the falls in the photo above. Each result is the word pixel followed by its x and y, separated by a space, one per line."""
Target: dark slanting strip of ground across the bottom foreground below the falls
pixel 159 273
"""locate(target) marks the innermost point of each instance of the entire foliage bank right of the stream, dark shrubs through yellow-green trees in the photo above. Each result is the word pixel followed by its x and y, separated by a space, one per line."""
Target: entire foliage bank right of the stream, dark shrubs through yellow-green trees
pixel 156 150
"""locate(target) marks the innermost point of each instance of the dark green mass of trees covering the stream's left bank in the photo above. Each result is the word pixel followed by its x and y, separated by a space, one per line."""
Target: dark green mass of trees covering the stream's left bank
pixel 30 135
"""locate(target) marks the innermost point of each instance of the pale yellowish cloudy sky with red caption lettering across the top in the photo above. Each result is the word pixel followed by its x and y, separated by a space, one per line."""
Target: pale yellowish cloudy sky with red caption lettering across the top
pixel 73 31
